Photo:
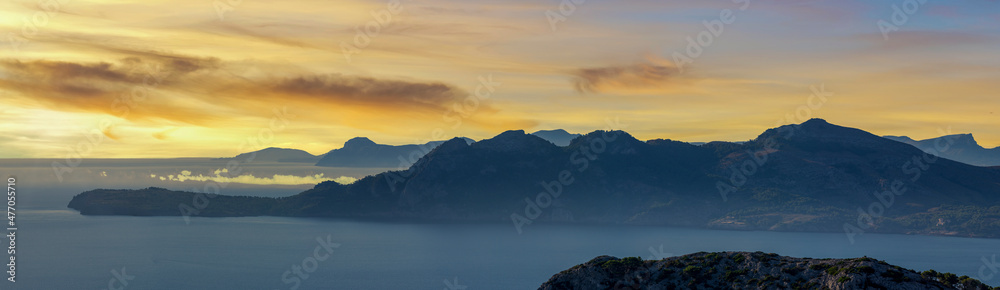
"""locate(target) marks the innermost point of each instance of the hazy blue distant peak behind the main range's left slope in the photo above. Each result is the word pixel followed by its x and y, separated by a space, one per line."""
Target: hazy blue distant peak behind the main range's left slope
pixel 363 152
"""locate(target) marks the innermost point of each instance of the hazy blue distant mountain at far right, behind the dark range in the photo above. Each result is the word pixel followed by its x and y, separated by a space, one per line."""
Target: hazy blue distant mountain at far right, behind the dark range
pixel 960 147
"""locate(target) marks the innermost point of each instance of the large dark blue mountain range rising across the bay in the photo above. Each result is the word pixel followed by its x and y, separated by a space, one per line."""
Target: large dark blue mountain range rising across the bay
pixel 808 177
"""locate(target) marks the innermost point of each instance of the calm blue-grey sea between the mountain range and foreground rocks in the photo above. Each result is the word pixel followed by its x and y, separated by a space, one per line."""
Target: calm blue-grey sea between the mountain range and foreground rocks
pixel 60 249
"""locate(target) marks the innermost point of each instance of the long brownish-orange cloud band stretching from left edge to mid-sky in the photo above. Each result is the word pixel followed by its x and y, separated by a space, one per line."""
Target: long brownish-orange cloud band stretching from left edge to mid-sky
pixel 209 92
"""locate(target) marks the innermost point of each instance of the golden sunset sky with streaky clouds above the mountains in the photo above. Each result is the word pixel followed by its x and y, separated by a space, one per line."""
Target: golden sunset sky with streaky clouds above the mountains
pixel 206 78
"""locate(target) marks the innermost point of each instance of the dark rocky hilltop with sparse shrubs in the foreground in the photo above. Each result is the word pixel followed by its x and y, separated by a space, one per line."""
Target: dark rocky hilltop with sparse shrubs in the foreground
pixel 743 270
